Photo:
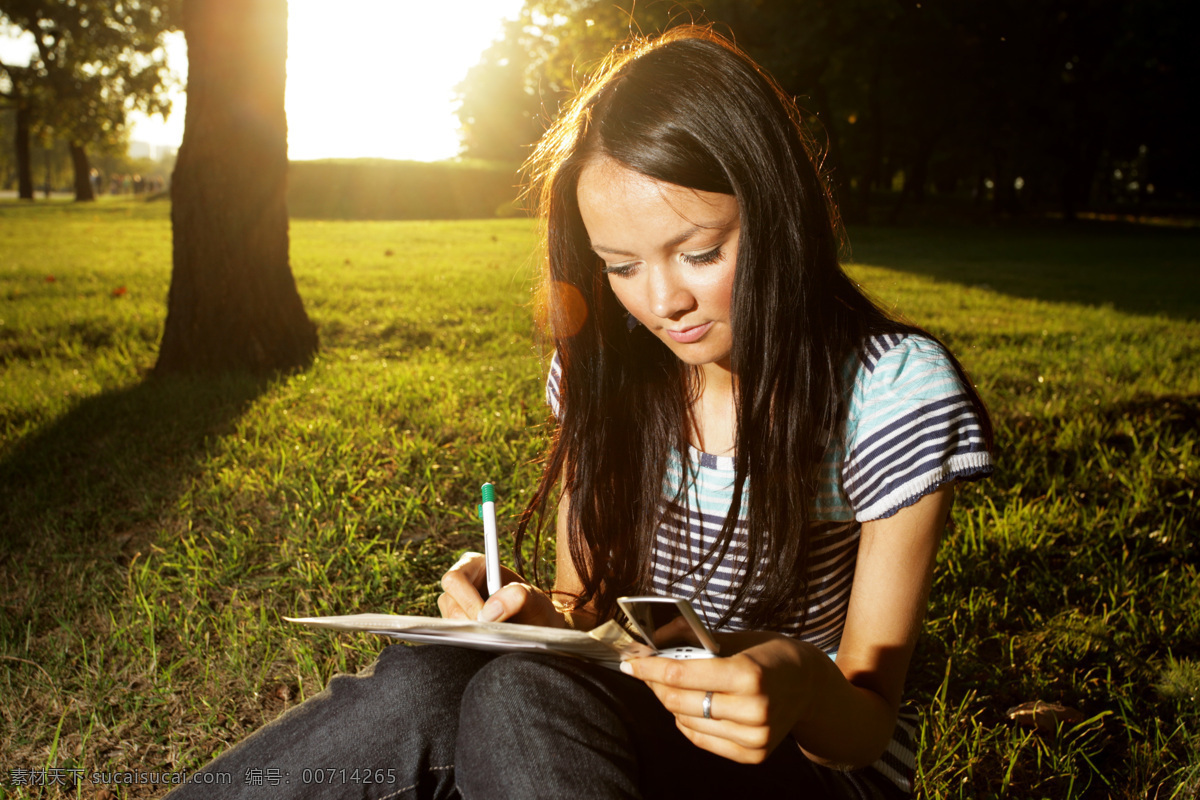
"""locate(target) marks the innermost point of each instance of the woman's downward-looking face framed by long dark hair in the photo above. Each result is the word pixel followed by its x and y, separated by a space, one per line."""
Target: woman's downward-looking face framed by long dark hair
pixel 670 255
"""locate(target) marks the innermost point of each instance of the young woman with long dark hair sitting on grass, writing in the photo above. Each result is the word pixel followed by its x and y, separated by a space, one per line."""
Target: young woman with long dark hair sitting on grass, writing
pixel 739 425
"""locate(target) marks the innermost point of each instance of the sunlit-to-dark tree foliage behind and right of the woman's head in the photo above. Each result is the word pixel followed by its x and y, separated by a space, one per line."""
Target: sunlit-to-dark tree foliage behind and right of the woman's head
pixel 1070 105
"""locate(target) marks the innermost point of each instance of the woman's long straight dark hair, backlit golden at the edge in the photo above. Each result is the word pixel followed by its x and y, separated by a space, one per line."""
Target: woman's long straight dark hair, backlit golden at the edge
pixel 689 109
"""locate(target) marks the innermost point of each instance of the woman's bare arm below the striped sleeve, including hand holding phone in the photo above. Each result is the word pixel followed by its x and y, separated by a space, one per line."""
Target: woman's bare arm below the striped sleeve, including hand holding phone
pixel 844 713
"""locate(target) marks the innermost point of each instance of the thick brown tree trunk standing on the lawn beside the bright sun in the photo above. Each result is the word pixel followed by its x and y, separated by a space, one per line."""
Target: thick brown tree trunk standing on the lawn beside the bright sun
pixel 233 303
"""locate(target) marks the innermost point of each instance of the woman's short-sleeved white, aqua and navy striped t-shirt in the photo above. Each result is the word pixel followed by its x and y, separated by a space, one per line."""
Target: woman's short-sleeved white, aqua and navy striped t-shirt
pixel 910 429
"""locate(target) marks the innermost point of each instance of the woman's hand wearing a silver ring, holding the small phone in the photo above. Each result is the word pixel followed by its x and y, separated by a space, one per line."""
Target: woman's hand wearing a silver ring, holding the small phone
pixel 759 694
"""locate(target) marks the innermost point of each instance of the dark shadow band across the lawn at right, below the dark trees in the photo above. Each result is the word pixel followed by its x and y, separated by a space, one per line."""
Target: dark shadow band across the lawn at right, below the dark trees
pixel 1137 269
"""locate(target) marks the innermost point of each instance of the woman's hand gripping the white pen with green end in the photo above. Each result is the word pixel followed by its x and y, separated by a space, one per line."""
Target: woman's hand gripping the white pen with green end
pixel 517 601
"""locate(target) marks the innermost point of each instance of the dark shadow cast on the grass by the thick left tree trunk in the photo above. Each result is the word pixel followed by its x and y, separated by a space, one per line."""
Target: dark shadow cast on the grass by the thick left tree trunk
pixel 106 471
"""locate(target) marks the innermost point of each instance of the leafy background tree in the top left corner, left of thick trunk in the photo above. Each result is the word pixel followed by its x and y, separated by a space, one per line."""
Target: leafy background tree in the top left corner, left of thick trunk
pixel 94 63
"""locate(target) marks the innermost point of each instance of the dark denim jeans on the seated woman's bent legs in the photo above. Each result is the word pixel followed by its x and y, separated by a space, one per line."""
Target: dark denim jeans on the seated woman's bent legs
pixel 449 723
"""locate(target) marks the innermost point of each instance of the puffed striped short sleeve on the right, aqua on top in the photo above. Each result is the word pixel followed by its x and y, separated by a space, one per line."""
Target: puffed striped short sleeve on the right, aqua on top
pixel 911 428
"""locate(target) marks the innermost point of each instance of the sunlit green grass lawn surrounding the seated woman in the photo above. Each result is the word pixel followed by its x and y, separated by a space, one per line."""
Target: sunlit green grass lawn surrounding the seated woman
pixel 153 533
